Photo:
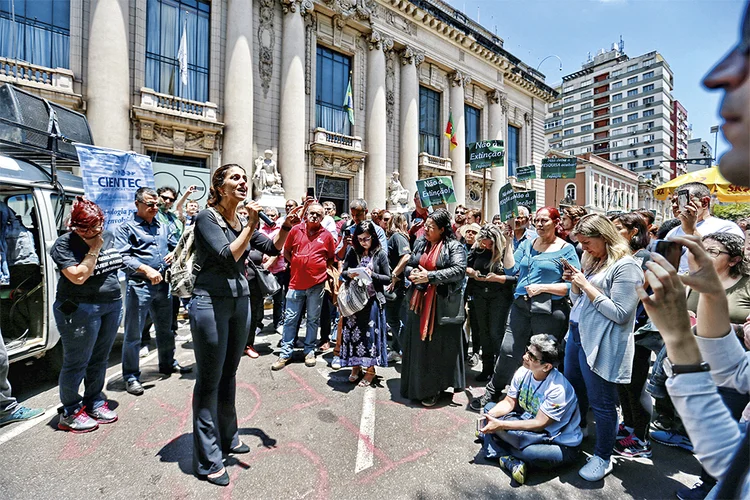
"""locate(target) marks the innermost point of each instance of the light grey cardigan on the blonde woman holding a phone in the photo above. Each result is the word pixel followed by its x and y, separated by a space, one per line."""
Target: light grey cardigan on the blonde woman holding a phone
pixel 606 325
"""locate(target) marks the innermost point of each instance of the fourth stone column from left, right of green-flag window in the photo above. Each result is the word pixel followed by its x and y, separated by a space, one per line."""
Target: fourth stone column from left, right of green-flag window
pixel 375 127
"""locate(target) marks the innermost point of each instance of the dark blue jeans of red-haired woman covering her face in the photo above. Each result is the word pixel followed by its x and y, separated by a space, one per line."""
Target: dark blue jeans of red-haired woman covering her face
pixel 87 336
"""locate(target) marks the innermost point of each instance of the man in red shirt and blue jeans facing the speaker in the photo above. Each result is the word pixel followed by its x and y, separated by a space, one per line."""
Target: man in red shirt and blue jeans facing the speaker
pixel 308 249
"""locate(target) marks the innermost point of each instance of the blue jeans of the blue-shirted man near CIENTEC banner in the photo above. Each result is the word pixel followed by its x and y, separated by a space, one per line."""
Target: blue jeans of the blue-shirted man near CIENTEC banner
pixel 142 298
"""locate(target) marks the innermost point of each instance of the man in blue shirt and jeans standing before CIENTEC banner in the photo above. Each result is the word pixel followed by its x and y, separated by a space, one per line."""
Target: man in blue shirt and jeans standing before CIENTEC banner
pixel 144 245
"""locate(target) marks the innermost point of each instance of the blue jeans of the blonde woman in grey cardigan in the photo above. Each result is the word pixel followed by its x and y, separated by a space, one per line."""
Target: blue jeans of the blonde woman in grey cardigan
pixel 594 390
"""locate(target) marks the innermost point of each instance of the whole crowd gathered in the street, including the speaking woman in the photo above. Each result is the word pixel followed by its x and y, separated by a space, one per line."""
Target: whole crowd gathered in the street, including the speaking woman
pixel 563 313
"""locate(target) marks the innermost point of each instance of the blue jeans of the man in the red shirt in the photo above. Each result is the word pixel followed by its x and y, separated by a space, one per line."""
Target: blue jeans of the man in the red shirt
pixel 295 300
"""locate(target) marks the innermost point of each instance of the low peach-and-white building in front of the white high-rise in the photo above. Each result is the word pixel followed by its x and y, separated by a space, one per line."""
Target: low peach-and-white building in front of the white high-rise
pixel 599 185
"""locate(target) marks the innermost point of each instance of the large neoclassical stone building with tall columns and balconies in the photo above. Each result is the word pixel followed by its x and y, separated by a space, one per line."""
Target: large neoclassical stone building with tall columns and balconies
pixel 274 75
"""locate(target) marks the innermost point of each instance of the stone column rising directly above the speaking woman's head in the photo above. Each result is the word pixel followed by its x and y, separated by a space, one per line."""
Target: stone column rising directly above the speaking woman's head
pixel 238 85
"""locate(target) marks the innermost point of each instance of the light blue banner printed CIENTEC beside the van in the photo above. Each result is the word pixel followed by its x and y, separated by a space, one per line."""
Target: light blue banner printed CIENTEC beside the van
pixel 110 179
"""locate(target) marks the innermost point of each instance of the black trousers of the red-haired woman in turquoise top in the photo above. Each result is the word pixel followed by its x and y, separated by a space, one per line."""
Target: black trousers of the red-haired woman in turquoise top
pixel 522 326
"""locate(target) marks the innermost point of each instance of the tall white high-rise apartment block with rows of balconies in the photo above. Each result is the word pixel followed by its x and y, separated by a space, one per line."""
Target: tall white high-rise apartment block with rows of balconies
pixel 619 108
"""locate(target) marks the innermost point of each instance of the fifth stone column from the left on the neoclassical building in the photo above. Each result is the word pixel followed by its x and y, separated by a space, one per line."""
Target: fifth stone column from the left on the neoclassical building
pixel 409 102
